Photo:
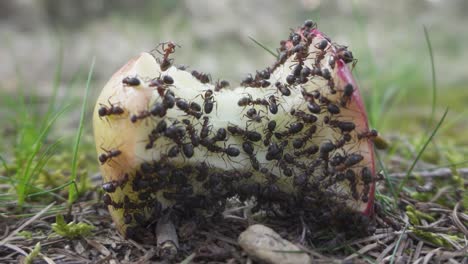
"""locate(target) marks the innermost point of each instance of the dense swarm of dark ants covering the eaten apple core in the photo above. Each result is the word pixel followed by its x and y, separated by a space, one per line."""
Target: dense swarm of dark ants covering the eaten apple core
pixel 293 138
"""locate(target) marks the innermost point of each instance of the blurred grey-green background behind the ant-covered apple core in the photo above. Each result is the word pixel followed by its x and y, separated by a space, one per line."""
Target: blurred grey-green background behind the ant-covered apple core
pixel 387 37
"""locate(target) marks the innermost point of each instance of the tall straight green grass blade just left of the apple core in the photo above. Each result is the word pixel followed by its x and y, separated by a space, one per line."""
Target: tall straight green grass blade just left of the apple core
pixel 73 194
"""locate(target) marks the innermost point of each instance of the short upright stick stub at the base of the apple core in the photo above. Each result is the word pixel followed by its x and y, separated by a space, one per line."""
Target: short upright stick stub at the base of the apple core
pixel 167 240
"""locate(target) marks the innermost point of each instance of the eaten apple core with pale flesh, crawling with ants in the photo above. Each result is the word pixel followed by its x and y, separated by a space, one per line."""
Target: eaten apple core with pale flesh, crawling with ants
pixel 148 179
